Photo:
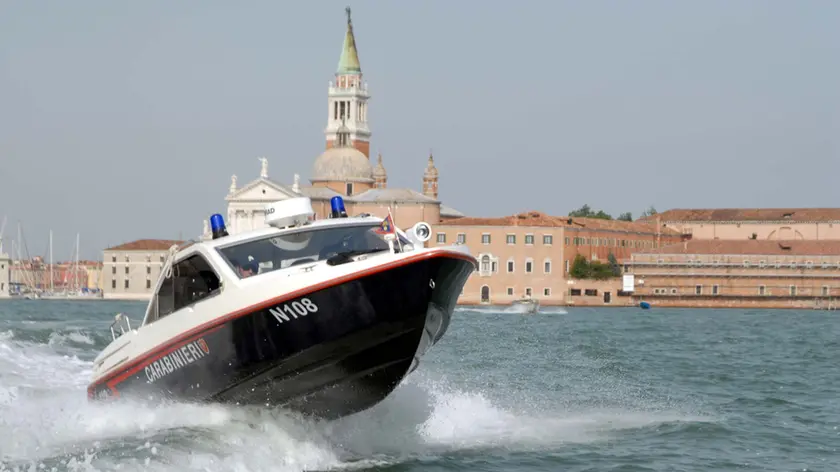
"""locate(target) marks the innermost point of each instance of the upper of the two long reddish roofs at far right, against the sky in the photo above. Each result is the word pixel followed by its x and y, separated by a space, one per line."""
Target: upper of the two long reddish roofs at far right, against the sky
pixel 748 214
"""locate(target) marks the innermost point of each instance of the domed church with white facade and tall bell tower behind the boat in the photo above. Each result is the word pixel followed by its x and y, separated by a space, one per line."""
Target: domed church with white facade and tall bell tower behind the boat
pixel 344 168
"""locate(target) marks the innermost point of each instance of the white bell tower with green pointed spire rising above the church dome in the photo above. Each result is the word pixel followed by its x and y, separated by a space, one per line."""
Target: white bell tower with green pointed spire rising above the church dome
pixel 348 97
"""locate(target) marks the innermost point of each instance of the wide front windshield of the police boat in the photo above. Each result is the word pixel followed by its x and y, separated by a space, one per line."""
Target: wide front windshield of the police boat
pixel 302 247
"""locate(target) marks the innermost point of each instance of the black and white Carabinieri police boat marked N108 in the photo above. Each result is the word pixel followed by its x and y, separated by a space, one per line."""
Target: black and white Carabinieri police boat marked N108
pixel 324 317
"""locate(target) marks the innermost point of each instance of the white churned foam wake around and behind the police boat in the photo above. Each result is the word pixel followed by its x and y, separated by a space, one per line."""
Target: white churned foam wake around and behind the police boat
pixel 54 427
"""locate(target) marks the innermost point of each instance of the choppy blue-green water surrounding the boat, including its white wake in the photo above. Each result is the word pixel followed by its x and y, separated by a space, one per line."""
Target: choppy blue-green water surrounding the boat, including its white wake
pixel 582 390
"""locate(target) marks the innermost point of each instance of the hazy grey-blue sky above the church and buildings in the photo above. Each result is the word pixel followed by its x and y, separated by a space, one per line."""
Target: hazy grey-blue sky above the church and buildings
pixel 124 120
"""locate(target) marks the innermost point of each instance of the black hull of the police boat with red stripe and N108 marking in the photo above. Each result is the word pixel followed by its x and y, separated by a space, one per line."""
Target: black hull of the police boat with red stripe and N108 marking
pixel 331 351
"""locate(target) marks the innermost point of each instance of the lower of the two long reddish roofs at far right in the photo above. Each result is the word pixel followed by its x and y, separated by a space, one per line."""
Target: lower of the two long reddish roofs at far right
pixel 749 247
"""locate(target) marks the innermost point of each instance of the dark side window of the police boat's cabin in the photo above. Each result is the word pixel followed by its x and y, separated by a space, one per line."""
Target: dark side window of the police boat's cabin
pixel 192 280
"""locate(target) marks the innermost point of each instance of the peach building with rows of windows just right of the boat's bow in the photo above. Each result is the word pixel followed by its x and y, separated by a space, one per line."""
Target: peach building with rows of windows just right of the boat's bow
pixel 531 253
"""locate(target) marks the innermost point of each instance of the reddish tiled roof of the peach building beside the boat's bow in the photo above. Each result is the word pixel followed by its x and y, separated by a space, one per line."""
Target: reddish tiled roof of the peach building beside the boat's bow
pixel 536 218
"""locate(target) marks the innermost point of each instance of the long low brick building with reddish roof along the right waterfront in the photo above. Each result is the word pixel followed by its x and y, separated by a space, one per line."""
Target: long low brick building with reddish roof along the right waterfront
pixel 739 273
